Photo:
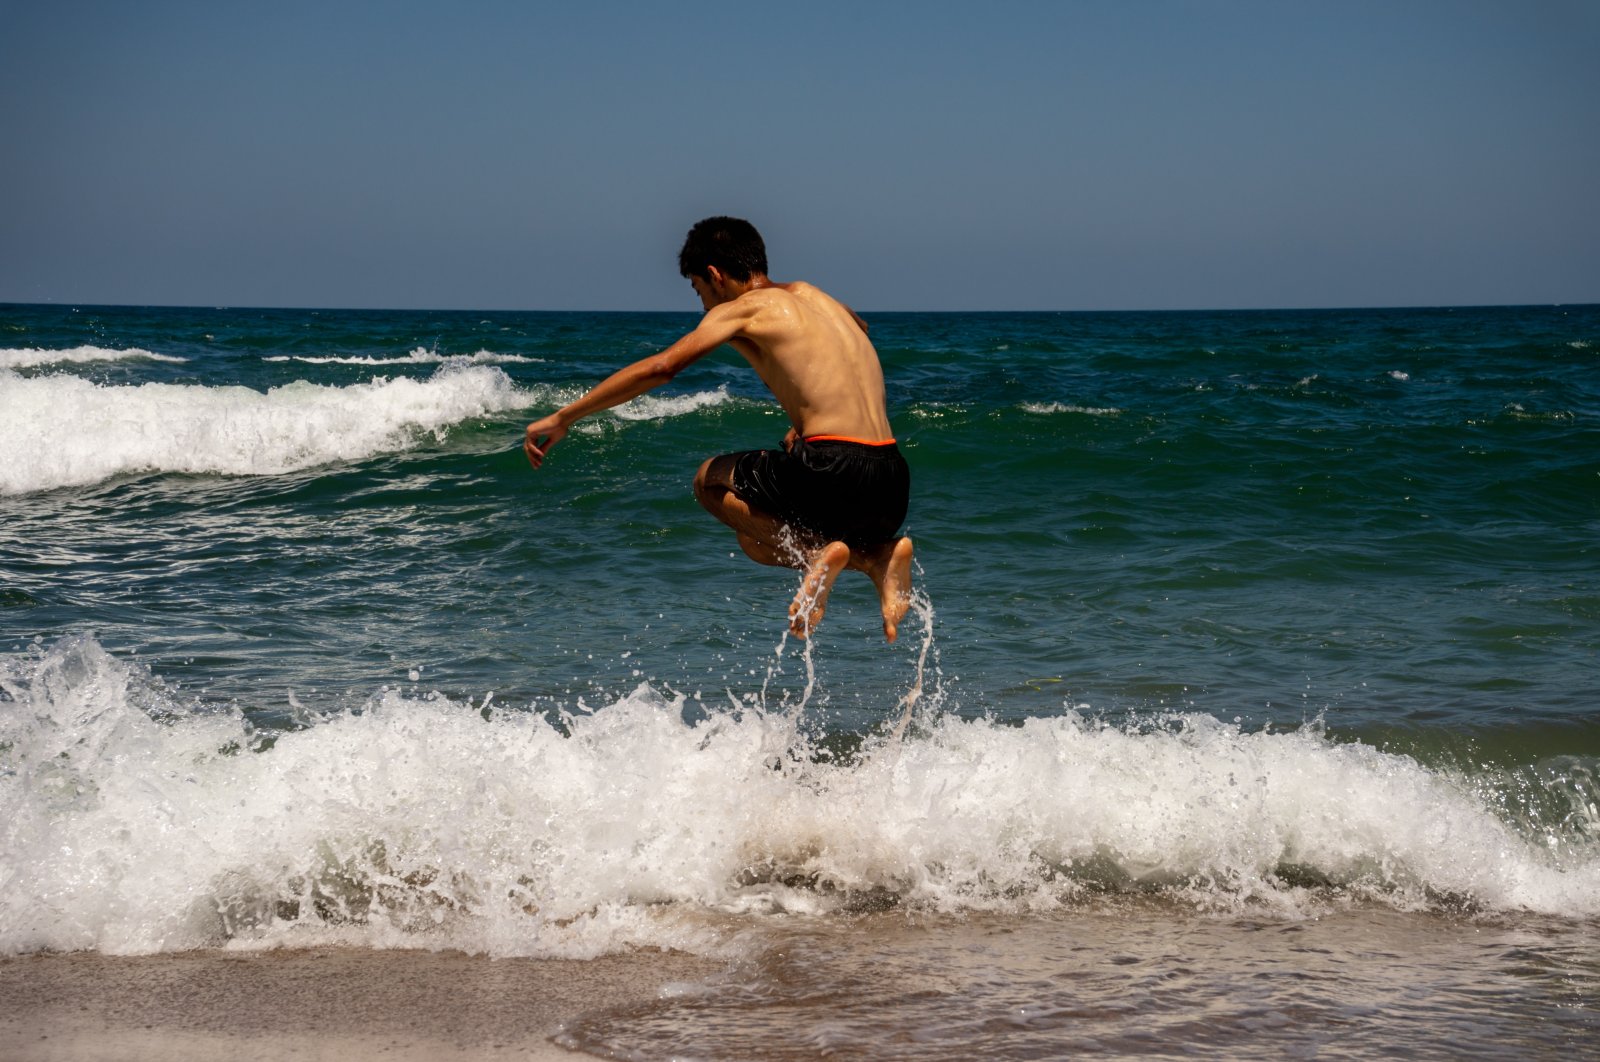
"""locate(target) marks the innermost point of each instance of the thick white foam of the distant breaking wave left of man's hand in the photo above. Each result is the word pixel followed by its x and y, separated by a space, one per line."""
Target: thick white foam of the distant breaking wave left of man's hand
pixel 63 431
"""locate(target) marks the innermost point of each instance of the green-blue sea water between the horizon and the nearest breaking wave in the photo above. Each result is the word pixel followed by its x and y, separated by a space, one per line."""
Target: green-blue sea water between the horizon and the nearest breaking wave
pixel 1385 519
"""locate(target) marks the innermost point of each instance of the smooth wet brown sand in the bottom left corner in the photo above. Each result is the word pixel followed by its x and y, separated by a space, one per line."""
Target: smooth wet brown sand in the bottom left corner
pixel 330 1004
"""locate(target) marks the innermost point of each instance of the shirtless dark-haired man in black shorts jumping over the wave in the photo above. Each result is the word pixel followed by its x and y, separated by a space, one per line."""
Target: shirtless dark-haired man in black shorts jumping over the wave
pixel 836 495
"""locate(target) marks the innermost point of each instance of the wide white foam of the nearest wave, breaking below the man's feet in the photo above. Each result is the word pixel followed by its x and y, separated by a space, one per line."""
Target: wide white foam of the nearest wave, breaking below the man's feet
pixel 134 824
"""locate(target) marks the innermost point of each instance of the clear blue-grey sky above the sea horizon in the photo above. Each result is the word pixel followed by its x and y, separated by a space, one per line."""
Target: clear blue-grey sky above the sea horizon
pixel 1130 154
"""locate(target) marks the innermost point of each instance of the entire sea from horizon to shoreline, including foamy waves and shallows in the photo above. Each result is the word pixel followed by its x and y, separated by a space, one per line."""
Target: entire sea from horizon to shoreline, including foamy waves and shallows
pixel 1249 705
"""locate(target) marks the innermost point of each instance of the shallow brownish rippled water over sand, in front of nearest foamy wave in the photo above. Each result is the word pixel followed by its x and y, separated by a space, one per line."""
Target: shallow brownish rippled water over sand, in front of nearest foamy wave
pixel 1135 978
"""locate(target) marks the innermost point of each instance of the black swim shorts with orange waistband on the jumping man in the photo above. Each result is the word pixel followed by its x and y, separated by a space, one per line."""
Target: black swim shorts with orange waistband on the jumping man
pixel 828 487
